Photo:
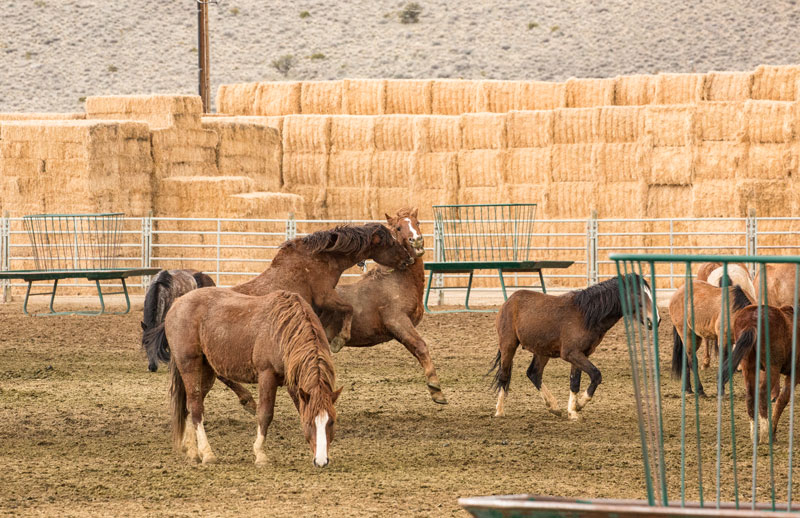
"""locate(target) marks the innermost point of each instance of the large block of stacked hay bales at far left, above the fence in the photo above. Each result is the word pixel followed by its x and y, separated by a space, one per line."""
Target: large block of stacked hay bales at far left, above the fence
pixel 75 166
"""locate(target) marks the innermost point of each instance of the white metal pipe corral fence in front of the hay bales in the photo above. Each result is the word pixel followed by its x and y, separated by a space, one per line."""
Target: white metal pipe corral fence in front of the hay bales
pixel 234 250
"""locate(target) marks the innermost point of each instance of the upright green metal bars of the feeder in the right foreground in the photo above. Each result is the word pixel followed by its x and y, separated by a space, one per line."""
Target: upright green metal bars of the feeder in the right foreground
pixel 697 448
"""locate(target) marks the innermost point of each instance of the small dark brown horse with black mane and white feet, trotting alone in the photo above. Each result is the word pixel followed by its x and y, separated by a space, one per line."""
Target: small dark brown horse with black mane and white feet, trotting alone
pixel 570 326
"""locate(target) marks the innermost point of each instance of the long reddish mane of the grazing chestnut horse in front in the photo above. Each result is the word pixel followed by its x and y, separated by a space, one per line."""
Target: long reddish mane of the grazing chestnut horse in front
pixel 297 330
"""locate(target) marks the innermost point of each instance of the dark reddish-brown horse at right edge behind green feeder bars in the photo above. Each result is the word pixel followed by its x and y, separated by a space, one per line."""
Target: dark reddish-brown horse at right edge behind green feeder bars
pixel 745 328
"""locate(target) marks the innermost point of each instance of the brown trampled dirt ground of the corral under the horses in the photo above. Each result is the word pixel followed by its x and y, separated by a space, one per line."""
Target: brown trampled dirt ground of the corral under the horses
pixel 84 430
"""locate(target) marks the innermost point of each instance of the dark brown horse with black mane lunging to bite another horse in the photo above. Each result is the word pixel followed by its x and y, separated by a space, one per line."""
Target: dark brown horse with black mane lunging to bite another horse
pixel 311 267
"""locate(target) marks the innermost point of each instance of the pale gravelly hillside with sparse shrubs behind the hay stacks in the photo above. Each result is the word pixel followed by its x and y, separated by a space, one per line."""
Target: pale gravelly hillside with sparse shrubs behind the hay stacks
pixel 55 52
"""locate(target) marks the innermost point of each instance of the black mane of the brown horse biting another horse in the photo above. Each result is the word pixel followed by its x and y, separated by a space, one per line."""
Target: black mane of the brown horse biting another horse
pixel 344 239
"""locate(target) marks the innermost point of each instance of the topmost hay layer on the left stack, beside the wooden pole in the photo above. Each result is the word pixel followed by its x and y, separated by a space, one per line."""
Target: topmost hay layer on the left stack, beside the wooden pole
pixel 160 111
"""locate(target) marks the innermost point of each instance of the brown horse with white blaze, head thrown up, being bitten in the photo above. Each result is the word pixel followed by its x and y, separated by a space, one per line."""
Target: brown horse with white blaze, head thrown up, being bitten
pixel 375 320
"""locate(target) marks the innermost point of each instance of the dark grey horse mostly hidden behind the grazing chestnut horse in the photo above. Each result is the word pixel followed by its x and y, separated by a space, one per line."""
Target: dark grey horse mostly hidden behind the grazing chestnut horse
pixel 167 286
